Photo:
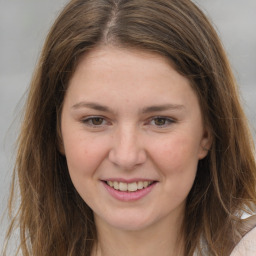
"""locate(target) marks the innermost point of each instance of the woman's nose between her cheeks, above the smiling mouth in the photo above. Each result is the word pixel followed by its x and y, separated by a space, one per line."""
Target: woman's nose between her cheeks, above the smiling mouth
pixel 127 150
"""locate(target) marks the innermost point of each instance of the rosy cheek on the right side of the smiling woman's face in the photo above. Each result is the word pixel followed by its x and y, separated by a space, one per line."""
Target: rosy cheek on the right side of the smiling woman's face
pixel 176 162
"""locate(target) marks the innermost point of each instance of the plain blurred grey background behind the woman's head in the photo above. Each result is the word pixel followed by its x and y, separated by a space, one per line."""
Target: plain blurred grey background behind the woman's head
pixel 24 25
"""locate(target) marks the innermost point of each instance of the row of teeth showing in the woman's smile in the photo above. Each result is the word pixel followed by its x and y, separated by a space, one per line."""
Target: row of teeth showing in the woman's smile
pixel 131 187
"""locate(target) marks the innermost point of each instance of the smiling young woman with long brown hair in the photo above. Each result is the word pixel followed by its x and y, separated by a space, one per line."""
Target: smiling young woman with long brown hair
pixel 134 141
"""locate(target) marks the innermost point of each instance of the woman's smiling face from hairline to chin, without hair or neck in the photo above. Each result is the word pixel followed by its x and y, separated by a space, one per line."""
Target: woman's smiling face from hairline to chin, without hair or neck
pixel 132 135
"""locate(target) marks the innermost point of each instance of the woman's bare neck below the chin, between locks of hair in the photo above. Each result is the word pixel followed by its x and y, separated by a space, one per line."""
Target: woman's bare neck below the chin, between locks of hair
pixel 153 240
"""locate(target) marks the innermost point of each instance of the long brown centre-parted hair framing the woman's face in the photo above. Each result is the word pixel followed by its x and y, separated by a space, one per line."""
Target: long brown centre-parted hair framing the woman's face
pixel 52 218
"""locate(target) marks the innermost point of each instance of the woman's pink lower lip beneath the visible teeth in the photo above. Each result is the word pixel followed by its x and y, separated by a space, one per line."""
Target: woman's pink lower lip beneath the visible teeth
pixel 129 196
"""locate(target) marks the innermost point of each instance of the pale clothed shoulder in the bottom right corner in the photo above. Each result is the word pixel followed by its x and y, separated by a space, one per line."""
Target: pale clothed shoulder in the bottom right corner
pixel 247 246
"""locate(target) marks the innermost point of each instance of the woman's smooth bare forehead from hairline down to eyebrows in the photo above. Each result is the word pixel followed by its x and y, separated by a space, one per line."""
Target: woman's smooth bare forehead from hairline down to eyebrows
pixel 112 74
